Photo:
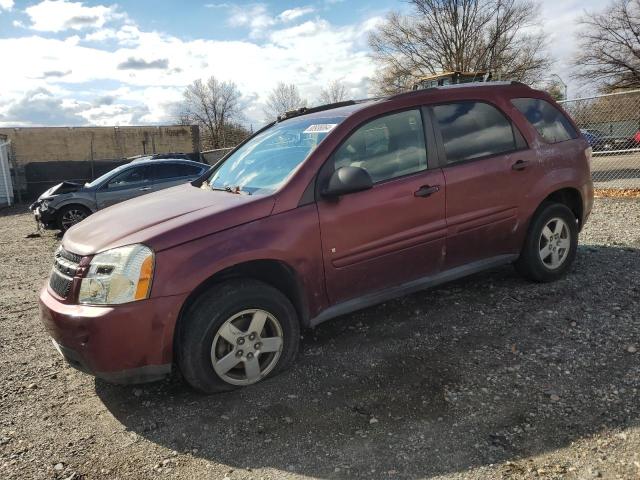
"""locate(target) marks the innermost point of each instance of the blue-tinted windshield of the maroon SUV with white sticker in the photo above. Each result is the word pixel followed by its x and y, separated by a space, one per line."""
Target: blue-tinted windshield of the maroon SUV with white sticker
pixel 263 164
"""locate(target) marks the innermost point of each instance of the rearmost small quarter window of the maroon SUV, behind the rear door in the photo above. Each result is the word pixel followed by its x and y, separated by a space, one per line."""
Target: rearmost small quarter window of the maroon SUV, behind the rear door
pixel 550 123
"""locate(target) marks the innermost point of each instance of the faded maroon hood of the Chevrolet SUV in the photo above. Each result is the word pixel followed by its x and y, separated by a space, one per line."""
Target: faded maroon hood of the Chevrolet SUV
pixel 165 219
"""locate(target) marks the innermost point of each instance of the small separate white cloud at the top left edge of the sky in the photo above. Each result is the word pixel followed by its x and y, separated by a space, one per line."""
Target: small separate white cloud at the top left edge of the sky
pixel 60 15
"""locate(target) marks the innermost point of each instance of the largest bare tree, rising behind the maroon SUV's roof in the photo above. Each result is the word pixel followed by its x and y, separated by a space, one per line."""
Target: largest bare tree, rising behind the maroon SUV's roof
pixel 499 36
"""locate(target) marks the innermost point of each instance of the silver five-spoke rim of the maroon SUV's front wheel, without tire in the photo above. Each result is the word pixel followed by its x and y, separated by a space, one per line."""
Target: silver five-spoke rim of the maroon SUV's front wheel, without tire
pixel 247 347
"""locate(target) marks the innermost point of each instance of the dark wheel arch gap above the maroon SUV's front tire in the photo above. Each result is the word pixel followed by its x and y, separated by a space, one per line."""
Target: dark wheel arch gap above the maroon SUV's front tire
pixel 275 273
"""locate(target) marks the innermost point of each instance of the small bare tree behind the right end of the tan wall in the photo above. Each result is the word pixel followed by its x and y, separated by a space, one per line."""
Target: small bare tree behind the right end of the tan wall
pixel 215 107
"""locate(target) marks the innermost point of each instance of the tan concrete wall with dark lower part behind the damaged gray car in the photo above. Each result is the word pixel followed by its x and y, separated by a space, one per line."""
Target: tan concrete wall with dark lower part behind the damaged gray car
pixel 44 156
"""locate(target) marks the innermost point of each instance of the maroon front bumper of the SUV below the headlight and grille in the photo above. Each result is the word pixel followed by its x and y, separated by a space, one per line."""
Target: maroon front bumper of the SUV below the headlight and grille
pixel 129 343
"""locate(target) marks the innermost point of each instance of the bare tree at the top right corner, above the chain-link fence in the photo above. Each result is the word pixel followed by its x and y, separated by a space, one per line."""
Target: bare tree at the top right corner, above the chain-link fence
pixel 610 46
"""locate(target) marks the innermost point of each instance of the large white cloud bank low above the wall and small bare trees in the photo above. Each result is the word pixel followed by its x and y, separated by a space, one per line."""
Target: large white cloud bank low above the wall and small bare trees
pixel 79 73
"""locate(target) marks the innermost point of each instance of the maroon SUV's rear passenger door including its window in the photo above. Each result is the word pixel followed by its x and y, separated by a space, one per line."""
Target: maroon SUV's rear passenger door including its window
pixel 487 168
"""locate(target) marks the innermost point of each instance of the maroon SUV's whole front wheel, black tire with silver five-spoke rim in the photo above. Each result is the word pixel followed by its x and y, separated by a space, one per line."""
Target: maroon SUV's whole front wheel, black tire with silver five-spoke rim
pixel 236 334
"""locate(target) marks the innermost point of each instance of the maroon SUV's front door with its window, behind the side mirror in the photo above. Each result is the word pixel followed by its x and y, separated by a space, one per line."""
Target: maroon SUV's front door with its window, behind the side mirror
pixel 394 232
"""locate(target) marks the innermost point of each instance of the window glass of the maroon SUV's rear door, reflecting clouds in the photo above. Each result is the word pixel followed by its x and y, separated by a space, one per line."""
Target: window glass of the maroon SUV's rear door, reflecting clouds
pixel 472 130
